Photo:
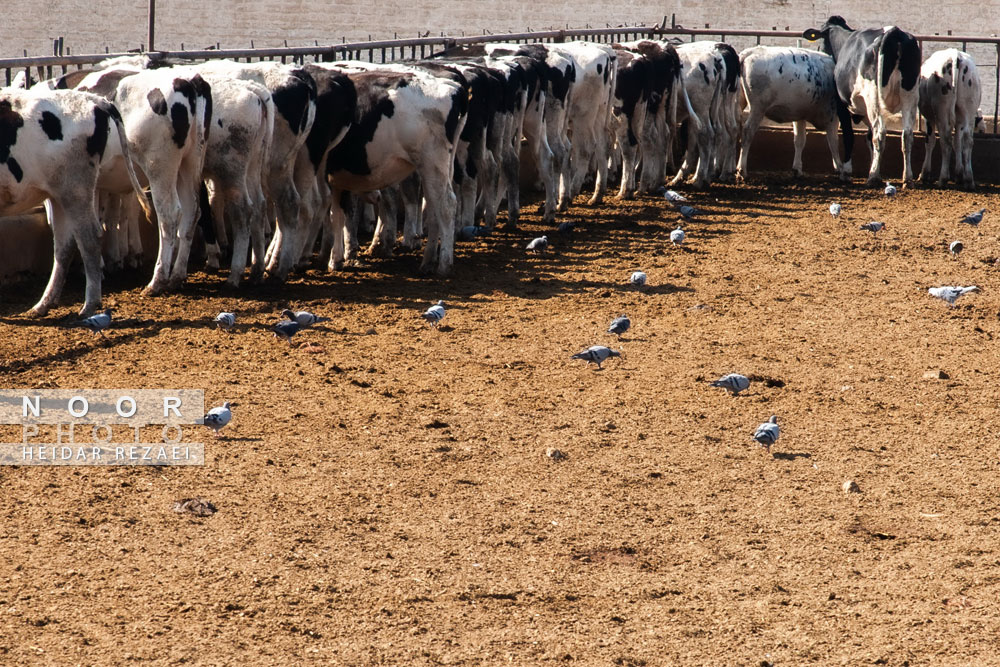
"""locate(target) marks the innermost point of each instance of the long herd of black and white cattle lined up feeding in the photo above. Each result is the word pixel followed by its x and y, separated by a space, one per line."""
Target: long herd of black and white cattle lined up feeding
pixel 293 155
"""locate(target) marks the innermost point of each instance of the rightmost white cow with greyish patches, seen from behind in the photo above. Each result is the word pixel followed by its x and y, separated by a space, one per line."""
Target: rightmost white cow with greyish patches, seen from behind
pixel 950 92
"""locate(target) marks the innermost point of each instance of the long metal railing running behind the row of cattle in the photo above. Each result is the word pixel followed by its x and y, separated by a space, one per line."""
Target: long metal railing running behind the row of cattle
pixel 984 50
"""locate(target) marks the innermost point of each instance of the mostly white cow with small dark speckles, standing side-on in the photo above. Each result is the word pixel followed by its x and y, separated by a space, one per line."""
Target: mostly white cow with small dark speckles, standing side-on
pixel 792 85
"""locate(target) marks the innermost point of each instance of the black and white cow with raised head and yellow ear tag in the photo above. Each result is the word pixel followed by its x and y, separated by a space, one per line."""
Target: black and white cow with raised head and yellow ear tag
pixel 877 73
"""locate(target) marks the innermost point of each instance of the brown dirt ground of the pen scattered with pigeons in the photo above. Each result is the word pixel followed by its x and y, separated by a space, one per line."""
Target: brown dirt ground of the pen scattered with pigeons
pixel 385 497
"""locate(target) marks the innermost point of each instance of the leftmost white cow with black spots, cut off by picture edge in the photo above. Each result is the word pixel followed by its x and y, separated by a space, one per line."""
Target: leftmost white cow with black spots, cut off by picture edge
pixel 52 143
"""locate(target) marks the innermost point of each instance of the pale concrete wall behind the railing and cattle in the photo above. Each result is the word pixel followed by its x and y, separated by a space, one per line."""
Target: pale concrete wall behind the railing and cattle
pixel 90 25
